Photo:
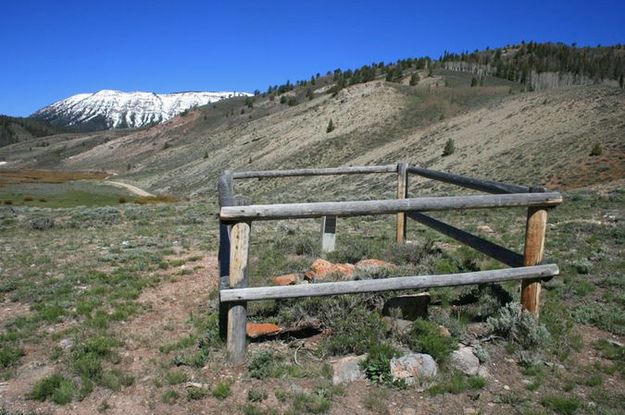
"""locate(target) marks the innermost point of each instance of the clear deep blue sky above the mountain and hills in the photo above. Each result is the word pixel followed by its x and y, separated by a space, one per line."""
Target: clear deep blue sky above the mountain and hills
pixel 54 49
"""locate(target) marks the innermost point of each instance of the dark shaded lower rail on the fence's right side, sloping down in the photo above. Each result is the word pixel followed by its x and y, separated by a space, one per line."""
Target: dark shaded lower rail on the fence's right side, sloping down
pixel 491 249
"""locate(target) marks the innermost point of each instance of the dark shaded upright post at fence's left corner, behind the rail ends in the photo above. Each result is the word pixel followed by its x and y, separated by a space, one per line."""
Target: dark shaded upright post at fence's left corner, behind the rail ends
pixel 226 198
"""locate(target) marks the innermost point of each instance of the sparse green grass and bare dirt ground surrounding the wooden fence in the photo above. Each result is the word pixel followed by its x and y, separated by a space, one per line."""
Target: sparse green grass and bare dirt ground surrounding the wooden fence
pixel 115 306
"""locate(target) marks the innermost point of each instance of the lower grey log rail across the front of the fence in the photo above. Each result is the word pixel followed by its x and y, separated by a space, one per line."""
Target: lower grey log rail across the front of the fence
pixel 388 284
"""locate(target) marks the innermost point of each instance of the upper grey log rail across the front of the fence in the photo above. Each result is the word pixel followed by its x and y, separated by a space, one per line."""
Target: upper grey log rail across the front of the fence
pixel 379 207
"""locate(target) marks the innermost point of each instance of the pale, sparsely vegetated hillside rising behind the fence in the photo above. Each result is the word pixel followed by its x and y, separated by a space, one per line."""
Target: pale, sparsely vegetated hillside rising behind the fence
pixel 498 131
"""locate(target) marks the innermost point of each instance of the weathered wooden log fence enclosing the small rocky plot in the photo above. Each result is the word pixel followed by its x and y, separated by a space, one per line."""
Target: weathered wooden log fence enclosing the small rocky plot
pixel 236 218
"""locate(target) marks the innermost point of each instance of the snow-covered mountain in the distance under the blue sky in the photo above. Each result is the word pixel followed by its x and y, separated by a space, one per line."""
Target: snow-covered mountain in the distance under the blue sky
pixel 117 109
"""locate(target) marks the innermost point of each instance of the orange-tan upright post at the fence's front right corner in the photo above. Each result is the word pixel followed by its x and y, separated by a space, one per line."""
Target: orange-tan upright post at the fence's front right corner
pixel 533 253
